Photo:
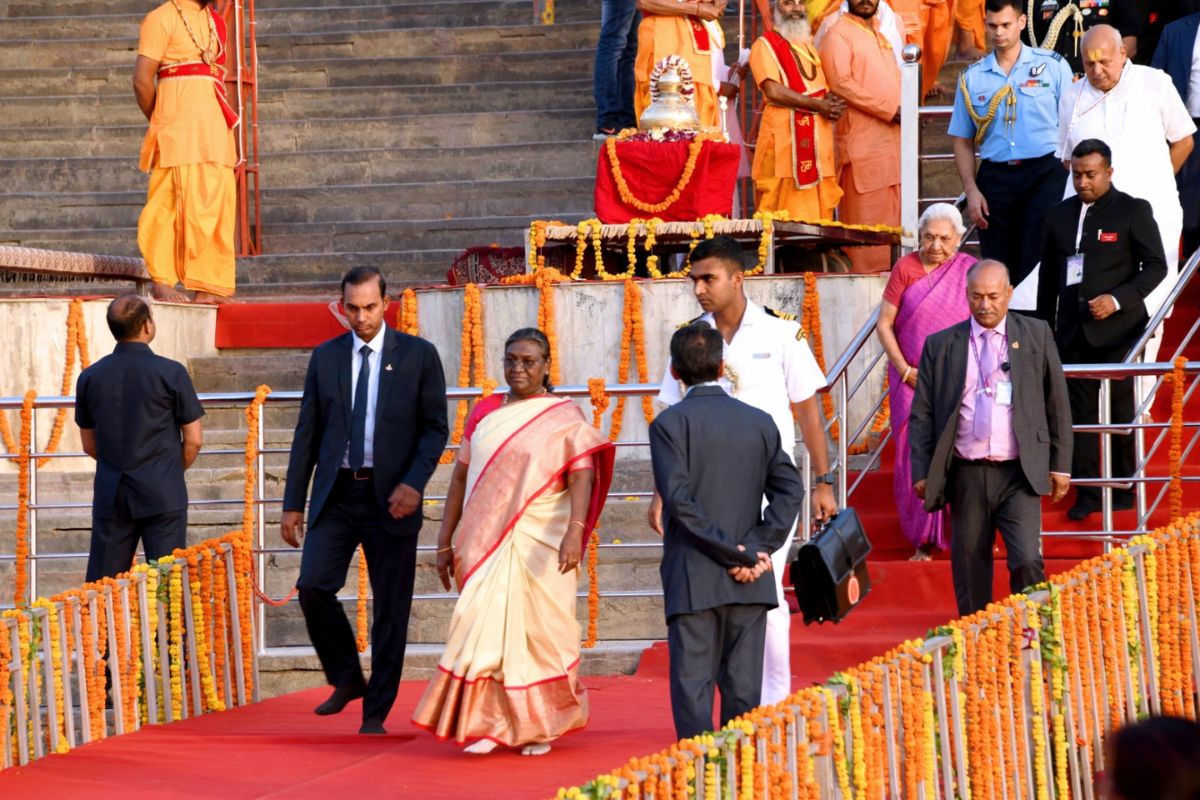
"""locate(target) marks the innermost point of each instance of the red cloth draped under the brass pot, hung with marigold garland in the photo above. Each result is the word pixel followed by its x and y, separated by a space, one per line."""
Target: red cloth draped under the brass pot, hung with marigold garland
pixel 652 171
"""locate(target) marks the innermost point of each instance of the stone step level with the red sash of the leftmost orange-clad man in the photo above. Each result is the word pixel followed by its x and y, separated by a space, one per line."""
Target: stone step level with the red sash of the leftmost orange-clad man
pixel 313 74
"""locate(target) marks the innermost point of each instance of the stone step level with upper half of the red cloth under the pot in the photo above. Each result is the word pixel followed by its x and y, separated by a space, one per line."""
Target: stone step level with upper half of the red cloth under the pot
pixel 325 167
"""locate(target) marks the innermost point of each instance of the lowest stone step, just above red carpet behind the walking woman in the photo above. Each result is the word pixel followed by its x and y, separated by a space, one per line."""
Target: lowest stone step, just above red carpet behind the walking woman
pixel 283 671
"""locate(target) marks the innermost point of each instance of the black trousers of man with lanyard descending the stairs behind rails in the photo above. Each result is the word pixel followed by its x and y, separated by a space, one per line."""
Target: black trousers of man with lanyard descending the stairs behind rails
pixel 1085 410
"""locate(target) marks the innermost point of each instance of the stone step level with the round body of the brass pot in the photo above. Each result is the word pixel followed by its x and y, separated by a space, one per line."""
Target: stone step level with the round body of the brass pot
pixel 479 129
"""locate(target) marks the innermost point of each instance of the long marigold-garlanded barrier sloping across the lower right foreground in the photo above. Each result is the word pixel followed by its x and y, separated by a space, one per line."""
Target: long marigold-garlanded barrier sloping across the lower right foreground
pixel 1015 701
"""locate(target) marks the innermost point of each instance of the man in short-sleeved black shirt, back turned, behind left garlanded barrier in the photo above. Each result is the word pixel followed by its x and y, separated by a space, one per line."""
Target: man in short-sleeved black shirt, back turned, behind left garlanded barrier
pixel 140 419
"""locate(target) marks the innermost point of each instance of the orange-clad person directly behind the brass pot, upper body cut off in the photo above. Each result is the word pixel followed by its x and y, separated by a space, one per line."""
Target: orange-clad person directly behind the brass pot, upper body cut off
pixel 689 29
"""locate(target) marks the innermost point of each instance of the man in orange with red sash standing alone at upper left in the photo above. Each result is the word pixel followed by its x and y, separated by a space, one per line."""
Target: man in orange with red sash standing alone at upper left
pixel 187 228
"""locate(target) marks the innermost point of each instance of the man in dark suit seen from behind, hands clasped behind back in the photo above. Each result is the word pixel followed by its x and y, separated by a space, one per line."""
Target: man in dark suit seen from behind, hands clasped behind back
pixel 715 459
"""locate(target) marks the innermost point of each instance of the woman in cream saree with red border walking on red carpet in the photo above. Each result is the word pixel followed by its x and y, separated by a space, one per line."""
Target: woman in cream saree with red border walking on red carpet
pixel 525 497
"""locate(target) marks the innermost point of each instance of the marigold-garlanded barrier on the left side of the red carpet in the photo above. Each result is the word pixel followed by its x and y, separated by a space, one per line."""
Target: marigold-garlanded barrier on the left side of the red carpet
pixel 166 633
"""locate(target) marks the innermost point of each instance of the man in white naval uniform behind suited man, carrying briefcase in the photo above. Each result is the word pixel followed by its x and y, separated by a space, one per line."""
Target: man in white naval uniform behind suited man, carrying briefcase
pixel 767 365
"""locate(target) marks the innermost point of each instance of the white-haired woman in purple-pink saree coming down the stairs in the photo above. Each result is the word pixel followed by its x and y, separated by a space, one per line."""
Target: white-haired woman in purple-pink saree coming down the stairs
pixel 926 293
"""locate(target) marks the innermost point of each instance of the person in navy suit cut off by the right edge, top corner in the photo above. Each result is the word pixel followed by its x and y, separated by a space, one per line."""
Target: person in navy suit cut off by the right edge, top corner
pixel 1175 56
